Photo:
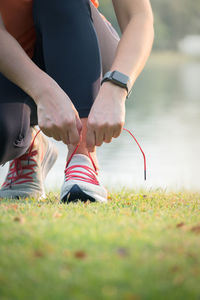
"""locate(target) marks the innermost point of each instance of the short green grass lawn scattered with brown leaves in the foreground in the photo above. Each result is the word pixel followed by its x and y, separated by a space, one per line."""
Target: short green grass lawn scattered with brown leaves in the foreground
pixel 138 246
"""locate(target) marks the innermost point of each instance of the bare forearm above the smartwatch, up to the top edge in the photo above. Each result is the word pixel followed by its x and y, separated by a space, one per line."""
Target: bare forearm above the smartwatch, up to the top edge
pixel 136 22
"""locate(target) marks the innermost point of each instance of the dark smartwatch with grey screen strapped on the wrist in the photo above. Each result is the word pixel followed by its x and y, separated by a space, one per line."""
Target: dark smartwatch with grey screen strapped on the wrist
pixel 119 79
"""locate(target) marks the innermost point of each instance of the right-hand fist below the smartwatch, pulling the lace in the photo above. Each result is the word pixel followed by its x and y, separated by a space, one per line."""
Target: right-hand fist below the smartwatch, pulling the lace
pixel 107 115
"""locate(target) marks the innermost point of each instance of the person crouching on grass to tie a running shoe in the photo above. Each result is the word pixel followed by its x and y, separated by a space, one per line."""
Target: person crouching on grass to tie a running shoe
pixel 59 88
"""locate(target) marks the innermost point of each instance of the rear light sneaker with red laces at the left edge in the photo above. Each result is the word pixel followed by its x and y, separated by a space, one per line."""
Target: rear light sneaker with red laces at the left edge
pixel 27 173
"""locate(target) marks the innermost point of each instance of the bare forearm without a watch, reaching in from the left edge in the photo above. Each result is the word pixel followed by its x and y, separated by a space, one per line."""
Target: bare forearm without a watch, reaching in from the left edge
pixel 19 68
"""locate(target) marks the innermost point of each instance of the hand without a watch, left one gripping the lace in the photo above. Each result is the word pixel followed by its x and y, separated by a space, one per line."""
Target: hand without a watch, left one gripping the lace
pixel 57 116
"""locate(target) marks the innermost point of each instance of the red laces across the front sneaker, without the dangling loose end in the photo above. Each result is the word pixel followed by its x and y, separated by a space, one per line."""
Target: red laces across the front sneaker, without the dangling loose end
pixel 89 175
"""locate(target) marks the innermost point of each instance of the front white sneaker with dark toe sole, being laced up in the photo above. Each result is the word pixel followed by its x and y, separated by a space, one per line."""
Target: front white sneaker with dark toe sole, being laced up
pixel 81 181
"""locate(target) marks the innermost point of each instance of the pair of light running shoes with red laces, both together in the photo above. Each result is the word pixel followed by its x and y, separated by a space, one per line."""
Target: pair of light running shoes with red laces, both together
pixel 26 174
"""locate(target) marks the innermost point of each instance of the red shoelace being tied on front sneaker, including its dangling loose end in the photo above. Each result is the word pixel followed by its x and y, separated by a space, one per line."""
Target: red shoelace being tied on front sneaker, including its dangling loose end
pixel 88 174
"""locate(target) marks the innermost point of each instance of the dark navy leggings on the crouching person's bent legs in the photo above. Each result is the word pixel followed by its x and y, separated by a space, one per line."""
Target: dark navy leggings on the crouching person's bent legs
pixel 67 48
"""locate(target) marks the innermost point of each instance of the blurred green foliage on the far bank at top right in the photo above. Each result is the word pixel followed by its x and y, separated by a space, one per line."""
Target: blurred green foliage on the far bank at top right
pixel 173 20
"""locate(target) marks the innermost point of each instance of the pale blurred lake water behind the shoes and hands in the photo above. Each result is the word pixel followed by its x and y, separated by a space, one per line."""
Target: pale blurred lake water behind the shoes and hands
pixel 164 114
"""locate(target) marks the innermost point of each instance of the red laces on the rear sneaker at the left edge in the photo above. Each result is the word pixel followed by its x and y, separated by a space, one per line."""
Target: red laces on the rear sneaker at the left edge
pixel 16 172
